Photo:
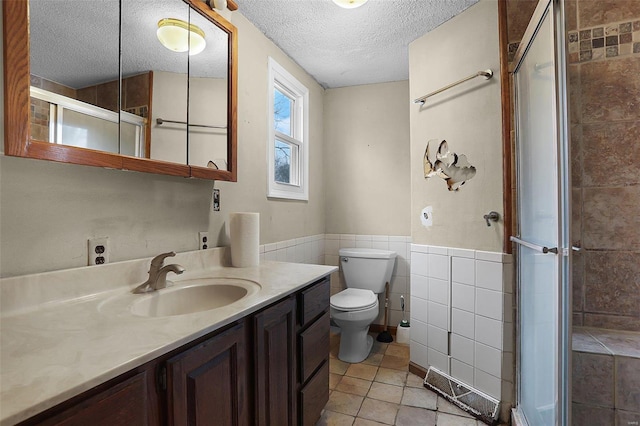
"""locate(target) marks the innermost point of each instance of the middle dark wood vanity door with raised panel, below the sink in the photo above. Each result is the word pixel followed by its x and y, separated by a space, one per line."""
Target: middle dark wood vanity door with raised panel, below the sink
pixel 207 385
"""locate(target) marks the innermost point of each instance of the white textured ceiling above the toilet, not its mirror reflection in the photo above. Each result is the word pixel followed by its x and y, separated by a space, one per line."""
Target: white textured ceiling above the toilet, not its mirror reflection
pixel 346 47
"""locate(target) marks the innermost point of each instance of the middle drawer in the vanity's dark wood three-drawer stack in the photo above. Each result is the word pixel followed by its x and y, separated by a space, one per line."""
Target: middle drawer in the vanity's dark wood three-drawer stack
pixel 314 346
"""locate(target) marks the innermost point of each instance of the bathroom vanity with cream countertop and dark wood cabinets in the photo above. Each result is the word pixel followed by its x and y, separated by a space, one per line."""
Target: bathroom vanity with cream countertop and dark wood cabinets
pixel 261 360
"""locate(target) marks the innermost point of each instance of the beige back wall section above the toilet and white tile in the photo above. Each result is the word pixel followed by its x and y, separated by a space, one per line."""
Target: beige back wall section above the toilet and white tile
pixel 366 133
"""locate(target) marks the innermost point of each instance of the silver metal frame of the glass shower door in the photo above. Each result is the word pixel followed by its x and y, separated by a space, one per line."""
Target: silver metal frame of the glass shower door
pixel 554 9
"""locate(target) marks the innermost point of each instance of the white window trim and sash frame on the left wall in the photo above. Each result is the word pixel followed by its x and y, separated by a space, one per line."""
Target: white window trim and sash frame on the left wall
pixel 301 123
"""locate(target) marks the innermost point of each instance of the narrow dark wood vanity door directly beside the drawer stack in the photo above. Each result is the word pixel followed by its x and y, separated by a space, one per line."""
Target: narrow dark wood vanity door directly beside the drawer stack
pixel 275 364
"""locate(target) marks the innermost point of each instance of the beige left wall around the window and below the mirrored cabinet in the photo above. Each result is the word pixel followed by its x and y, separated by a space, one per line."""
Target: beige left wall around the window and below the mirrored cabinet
pixel 49 210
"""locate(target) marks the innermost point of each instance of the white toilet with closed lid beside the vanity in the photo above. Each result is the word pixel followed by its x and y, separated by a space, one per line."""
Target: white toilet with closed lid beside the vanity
pixel 366 271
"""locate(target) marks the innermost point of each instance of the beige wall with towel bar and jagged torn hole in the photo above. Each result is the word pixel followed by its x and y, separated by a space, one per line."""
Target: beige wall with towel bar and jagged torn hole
pixel 469 118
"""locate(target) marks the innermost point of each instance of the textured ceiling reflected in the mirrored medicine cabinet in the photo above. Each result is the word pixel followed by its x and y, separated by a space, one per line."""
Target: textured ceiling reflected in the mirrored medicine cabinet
pixel 81 55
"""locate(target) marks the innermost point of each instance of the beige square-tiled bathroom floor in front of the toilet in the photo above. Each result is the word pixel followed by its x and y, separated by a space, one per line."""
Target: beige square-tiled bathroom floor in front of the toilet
pixel 381 391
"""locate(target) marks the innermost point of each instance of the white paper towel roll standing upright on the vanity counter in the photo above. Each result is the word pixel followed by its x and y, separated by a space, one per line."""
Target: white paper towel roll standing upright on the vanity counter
pixel 245 239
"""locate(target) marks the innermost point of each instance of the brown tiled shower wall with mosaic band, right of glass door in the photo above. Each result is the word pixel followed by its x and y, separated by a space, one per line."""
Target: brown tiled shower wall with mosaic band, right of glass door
pixel 604 78
